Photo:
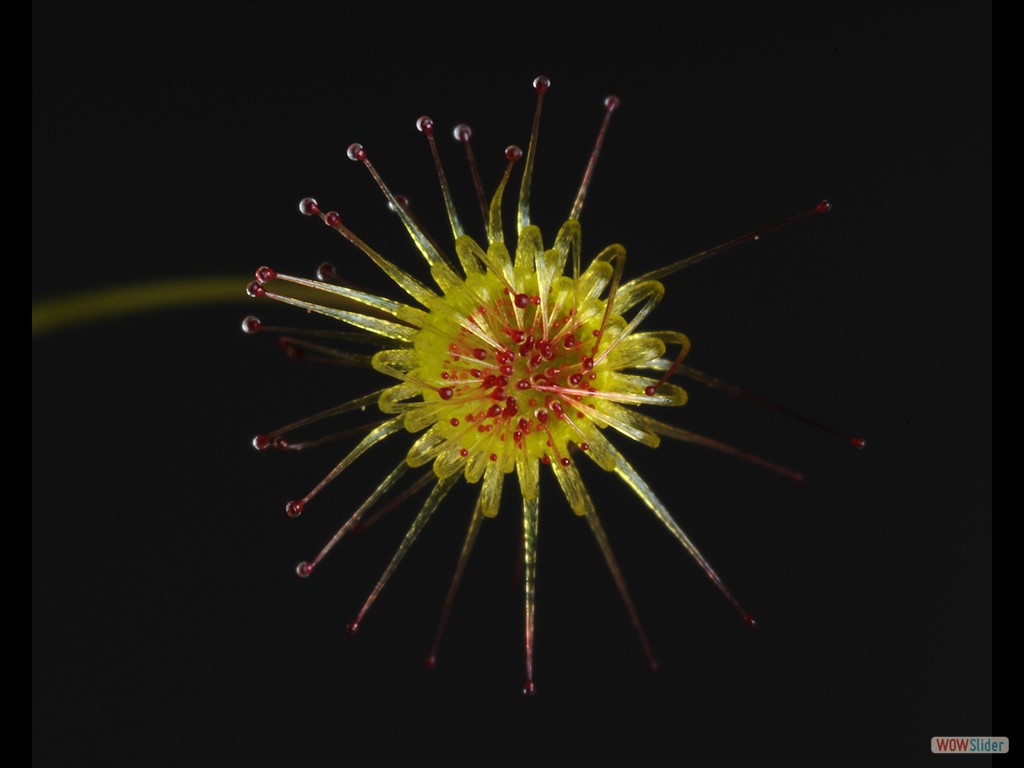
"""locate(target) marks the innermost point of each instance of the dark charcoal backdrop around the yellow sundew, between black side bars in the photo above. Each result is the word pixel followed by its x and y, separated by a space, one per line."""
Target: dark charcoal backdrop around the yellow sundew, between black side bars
pixel 175 141
